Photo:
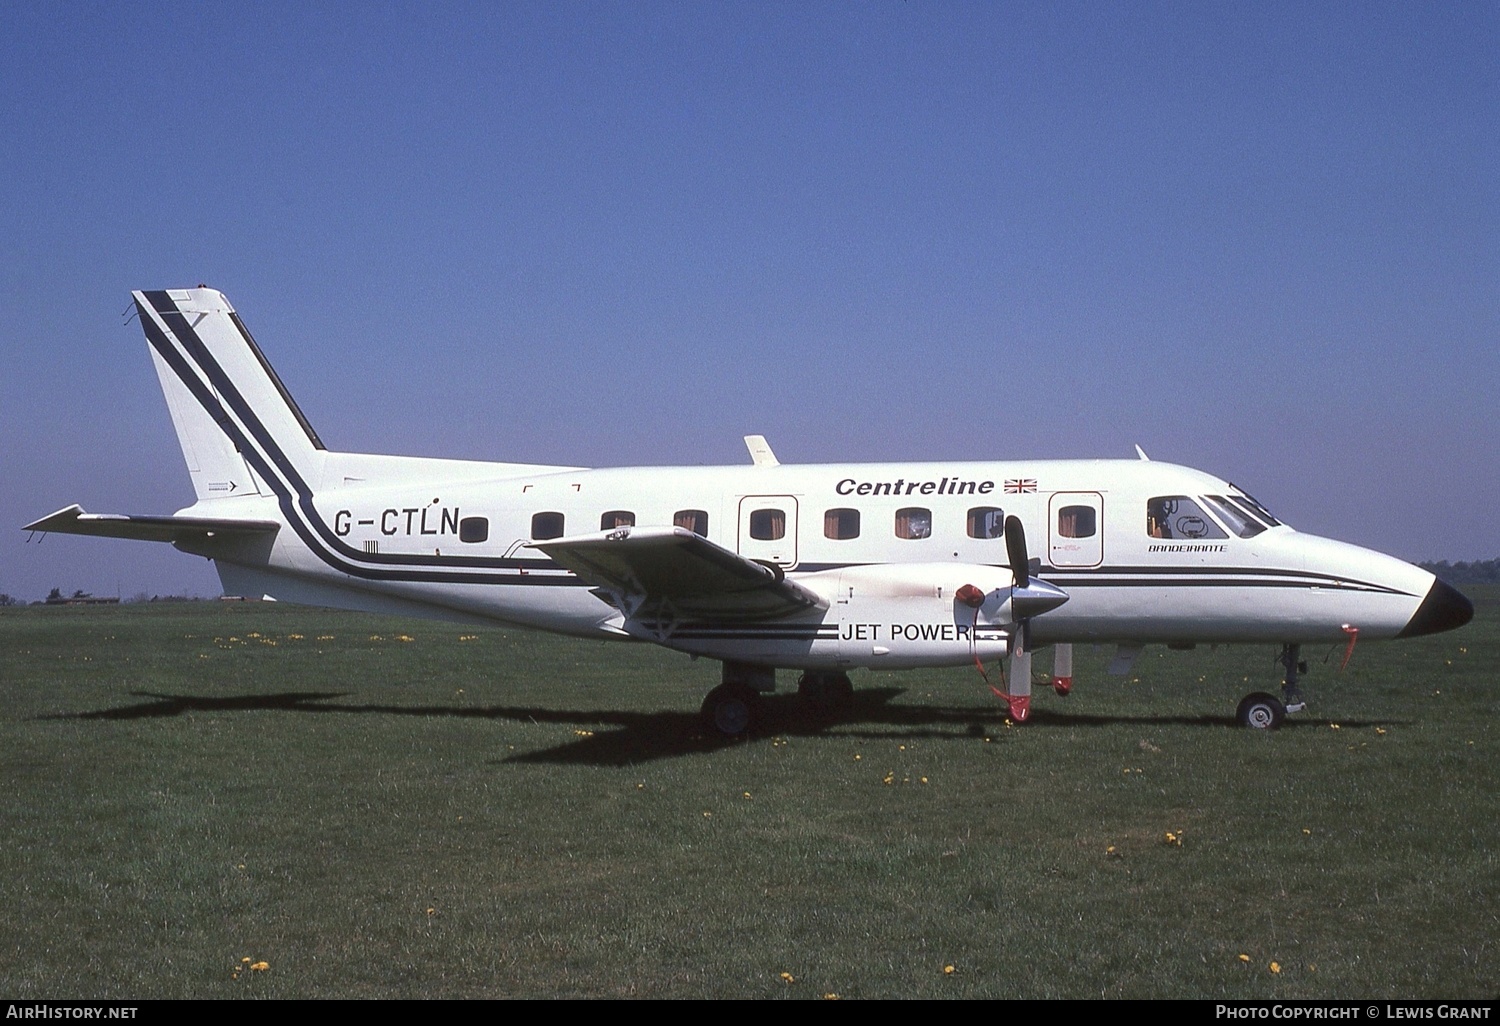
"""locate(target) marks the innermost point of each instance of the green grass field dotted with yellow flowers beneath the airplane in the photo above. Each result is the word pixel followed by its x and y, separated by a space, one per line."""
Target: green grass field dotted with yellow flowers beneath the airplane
pixel 376 808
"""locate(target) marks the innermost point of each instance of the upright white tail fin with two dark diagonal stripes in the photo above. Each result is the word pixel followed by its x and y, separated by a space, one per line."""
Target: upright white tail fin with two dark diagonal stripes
pixel 241 431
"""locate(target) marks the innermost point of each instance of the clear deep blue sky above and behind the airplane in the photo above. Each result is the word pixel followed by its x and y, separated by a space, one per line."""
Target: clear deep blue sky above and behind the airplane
pixel 1256 239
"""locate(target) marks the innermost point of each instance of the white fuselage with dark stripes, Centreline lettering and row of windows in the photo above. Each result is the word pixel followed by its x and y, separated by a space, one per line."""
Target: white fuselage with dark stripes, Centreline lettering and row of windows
pixel 389 535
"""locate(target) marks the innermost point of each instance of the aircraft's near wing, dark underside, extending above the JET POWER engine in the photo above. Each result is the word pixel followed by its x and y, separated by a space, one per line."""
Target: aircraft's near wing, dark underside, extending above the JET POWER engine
pixel 674 574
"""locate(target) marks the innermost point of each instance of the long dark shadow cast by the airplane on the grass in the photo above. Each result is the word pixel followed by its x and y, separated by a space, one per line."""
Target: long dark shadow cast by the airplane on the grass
pixel 617 737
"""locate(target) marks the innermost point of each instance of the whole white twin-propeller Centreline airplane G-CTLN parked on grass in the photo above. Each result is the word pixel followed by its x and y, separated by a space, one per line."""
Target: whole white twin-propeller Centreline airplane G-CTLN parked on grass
pixel 821 569
